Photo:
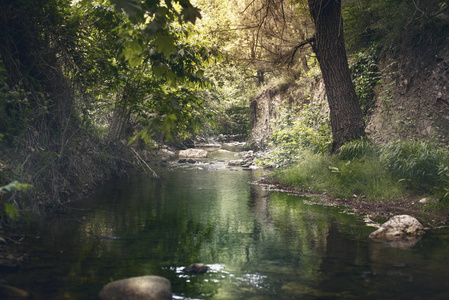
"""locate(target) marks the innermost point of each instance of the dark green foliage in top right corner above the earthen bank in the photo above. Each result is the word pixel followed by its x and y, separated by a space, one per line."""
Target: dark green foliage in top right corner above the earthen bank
pixel 390 22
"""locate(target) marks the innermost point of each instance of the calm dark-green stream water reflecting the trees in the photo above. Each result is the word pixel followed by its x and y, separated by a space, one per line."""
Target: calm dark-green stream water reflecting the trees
pixel 258 244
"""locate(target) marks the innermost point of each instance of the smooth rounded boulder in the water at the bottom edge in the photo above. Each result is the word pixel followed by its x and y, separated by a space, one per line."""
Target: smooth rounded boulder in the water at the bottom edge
pixel 137 288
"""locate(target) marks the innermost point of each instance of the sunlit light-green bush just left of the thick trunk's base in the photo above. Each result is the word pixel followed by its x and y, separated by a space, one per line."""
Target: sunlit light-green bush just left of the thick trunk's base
pixel 295 132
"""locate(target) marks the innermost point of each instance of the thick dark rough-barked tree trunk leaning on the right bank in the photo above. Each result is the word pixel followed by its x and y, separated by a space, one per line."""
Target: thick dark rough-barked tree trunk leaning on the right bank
pixel 345 113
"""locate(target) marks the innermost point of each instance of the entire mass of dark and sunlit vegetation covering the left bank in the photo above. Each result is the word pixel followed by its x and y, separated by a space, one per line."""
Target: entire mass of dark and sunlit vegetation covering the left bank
pixel 80 78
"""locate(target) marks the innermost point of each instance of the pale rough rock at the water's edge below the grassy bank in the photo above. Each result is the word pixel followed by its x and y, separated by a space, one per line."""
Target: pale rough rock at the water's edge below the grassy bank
pixel 402 226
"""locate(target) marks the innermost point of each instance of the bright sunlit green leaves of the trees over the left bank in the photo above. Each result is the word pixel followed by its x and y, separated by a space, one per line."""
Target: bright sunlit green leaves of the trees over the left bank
pixel 154 71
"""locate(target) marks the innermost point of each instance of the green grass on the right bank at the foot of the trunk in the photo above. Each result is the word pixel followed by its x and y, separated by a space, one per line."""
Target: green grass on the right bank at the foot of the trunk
pixel 372 172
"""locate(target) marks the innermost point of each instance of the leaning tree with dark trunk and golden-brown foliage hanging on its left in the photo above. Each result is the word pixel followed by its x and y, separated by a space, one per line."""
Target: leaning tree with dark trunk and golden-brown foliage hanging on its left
pixel 280 28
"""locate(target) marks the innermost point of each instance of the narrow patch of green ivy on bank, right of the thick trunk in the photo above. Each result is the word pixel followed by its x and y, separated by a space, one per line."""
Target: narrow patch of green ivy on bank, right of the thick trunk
pixel 365 76
